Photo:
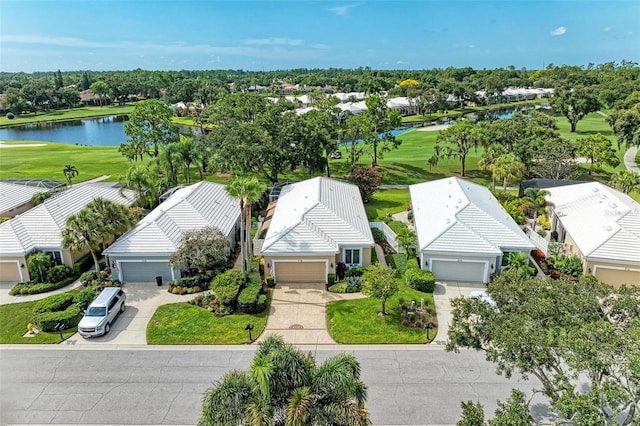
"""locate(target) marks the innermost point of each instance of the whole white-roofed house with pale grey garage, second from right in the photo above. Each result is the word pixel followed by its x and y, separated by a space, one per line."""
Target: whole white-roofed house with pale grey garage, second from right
pixel 463 233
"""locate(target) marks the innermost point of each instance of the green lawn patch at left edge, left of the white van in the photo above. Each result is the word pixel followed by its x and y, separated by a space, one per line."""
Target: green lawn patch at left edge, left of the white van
pixel 14 318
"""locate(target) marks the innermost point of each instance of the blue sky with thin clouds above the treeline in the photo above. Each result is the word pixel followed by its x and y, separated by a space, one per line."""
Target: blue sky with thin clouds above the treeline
pixel 270 35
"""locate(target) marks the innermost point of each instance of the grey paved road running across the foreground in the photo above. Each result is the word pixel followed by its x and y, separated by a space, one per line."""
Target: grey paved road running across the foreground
pixel 137 385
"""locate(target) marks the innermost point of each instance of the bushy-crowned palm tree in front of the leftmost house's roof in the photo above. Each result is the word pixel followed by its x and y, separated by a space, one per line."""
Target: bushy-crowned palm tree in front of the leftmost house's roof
pixel 83 232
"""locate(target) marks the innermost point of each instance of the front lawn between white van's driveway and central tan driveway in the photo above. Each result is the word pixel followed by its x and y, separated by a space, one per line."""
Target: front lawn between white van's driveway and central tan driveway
pixel 184 324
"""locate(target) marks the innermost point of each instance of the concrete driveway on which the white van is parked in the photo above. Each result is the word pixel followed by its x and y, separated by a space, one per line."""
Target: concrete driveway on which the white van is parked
pixel 130 327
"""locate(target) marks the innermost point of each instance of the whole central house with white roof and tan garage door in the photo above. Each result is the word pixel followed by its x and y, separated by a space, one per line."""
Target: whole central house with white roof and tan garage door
pixel 316 224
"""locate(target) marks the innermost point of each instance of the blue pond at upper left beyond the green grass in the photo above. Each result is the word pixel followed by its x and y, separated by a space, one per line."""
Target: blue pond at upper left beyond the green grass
pixel 104 131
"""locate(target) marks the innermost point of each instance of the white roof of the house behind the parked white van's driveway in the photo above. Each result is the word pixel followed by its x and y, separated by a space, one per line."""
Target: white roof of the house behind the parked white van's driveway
pixel 193 207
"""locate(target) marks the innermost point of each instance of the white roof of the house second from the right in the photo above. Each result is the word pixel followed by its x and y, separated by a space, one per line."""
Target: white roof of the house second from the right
pixel 455 215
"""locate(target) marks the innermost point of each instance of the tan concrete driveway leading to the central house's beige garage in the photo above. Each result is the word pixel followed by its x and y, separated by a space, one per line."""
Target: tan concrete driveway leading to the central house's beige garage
pixel 299 313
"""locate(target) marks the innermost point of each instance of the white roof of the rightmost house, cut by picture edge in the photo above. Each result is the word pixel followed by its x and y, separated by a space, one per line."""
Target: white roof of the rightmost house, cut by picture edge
pixel 603 222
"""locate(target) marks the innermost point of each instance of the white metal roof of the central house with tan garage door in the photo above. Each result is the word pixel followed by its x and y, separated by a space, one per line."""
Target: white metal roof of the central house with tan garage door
pixel 315 216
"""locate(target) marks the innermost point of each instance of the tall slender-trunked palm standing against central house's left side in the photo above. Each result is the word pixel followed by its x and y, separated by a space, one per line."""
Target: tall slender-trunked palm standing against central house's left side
pixel 248 191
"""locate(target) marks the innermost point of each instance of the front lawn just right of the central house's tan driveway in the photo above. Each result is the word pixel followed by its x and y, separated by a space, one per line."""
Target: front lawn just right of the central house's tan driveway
pixel 357 321
